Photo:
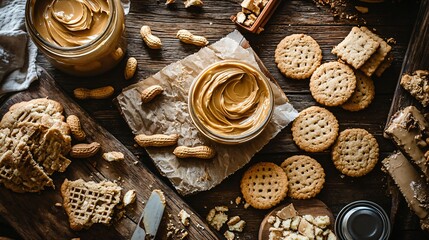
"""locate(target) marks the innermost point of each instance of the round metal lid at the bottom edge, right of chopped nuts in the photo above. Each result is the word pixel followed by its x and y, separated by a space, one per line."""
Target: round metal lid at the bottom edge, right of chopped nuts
pixel 362 220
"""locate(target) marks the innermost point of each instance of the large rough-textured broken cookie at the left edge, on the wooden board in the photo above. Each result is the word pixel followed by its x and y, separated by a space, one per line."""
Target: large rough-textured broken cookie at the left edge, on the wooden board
pixel 34 140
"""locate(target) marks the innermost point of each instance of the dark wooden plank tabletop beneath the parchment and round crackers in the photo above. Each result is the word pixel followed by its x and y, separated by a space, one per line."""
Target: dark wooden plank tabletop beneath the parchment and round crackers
pixel 390 19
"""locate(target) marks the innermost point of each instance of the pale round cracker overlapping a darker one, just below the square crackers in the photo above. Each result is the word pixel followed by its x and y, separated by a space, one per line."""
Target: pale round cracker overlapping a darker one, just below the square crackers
pixel 332 84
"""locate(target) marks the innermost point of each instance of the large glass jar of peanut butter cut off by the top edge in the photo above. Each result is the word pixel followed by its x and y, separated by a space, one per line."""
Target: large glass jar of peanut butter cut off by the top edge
pixel 79 37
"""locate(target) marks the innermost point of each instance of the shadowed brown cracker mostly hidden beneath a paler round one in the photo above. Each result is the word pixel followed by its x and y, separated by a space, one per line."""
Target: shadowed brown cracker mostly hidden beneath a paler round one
pixel 363 94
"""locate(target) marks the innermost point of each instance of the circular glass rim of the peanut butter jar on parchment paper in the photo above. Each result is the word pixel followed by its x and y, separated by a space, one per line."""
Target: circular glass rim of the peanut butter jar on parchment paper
pixel 230 139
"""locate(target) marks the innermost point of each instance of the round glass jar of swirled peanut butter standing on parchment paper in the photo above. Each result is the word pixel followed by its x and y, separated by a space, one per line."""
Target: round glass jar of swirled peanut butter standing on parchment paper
pixel 231 102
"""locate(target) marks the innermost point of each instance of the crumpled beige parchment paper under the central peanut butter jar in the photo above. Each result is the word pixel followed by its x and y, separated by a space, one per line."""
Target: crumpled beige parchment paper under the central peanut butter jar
pixel 168 114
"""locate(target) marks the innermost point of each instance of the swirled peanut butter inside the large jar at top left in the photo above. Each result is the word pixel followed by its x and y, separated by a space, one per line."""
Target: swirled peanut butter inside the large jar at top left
pixel 70 23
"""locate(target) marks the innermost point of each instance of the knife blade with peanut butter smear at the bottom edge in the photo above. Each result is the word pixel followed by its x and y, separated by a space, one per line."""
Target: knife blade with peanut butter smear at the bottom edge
pixel 149 221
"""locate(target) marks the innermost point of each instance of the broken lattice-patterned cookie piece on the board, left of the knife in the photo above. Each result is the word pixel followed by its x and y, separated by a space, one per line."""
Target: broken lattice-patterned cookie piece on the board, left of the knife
pixel 87 203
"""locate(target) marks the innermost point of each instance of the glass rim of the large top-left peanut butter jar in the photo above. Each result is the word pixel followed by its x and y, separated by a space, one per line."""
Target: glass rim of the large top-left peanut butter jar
pixel 31 28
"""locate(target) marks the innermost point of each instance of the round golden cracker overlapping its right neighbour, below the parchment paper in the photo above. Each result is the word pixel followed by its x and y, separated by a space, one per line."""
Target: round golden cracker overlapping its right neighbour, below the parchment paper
pixel 264 185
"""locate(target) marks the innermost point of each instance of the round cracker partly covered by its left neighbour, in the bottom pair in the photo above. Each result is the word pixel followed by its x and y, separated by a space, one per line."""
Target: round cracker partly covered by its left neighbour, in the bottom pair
pixel 305 176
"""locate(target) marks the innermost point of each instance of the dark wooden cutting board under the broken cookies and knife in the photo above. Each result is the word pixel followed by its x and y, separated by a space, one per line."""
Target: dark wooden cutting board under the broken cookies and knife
pixel 35 216
